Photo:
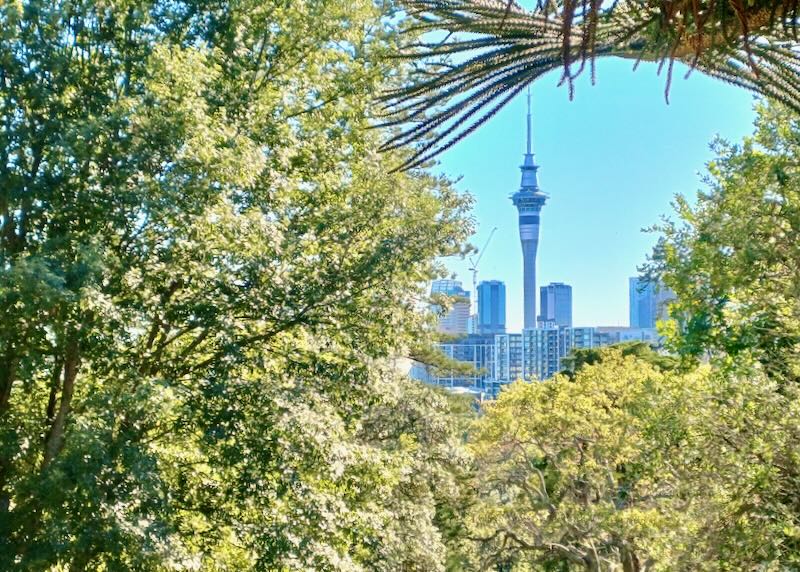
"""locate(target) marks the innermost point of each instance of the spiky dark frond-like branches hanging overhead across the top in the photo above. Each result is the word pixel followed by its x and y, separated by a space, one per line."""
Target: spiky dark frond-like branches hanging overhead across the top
pixel 497 48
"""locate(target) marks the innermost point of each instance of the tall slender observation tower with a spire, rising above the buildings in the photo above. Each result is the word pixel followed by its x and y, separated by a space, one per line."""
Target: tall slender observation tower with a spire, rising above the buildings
pixel 529 201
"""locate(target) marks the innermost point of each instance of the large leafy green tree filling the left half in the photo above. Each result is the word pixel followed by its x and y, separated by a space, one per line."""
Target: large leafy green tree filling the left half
pixel 204 268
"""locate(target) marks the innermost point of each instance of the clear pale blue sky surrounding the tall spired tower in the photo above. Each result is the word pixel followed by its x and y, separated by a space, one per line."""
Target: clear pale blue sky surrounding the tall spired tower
pixel 611 160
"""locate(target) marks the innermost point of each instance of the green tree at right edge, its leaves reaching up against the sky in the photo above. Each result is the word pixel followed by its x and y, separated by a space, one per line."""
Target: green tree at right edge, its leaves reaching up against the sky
pixel 732 259
